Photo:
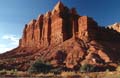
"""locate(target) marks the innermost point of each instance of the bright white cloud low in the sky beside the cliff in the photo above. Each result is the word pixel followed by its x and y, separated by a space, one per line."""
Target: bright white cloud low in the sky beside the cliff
pixel 8 42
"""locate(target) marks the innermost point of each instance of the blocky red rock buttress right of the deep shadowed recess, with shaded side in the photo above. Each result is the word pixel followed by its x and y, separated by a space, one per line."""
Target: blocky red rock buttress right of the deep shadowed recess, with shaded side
pixel 87 28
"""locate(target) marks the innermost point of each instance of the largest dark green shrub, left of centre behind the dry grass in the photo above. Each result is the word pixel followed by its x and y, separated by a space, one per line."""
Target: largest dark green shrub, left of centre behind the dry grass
pixel 40 67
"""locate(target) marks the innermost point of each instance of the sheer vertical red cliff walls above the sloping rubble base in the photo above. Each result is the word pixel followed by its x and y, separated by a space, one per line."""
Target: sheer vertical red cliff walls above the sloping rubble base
pixel 57 26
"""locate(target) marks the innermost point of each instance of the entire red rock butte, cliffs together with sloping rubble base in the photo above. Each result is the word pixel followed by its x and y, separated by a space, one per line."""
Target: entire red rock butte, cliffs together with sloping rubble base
pixel 64 38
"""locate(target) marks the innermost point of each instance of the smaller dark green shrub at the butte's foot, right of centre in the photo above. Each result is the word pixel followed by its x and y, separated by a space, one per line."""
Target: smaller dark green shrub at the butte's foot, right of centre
pixel 87 68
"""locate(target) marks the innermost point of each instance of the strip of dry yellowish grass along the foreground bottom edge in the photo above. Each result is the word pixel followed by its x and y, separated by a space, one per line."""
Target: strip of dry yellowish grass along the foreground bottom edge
pixel 106 74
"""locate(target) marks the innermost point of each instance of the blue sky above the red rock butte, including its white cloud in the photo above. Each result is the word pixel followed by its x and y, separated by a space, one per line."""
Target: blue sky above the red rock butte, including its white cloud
pixel 14 14
